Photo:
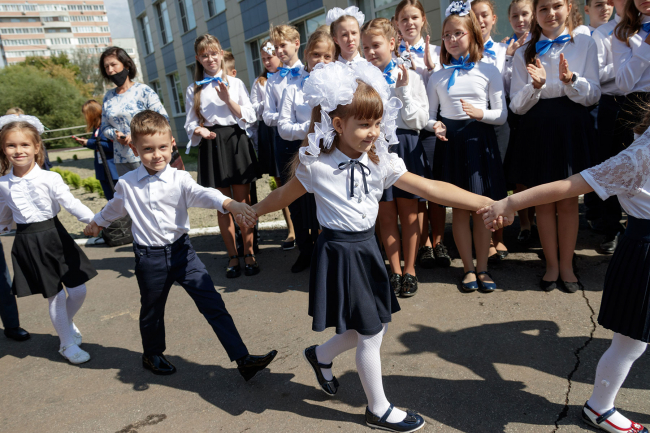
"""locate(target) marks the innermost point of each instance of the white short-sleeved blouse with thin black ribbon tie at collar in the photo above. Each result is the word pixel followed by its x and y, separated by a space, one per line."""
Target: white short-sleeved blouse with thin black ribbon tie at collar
pixel 335 209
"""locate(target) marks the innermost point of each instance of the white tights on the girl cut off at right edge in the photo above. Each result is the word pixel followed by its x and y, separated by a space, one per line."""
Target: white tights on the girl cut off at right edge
pixel 611 372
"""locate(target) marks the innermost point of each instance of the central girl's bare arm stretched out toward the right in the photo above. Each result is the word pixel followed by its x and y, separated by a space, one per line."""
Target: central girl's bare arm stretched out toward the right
pixel 442 193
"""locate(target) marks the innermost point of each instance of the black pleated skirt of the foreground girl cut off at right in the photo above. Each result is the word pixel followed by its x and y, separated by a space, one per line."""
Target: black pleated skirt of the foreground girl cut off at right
pixel 625 307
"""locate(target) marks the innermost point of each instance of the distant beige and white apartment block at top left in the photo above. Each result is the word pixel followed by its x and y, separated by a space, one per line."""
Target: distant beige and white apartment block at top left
pixel 47 27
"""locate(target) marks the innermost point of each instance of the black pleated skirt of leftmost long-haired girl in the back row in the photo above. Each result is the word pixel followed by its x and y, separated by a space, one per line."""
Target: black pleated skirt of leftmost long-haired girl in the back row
pixel 228 159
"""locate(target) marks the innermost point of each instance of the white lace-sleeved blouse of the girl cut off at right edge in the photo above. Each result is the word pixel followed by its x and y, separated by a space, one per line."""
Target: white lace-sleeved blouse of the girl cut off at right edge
pixel 626 176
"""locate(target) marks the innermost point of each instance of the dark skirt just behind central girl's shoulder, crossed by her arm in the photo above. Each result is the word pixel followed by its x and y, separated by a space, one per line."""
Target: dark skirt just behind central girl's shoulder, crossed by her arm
pixel 411 150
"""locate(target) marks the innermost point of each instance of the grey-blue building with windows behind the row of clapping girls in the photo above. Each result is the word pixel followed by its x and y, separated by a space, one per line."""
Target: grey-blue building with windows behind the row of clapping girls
pixel 166 30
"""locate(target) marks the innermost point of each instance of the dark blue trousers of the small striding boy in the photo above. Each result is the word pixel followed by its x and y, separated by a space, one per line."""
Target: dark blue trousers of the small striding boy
pixel 157 268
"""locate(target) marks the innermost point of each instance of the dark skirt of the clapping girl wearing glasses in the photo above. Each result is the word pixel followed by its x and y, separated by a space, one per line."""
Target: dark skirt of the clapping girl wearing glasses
pixel 470 158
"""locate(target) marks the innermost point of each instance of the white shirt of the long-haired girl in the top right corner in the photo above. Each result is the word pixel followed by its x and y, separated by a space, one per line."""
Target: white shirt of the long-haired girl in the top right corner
pixel 631 63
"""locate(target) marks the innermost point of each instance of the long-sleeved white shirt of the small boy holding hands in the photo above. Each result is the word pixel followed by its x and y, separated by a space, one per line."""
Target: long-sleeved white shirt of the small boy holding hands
pixel 158 204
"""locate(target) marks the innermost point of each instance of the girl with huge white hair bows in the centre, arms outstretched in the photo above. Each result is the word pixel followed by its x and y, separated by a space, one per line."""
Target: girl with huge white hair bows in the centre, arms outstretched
pixel 345 163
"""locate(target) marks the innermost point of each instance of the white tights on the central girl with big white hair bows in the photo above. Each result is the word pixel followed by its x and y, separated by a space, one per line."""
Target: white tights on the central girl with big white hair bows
pixel 368 365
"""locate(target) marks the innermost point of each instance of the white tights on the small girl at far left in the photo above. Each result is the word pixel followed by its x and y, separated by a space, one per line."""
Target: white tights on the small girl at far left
pixel 62 311
